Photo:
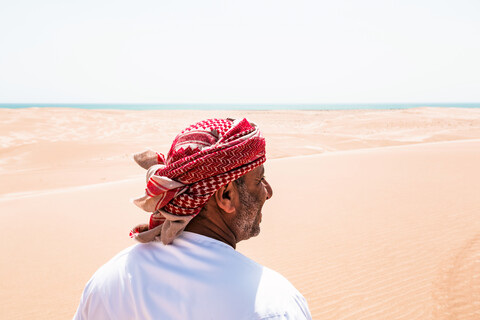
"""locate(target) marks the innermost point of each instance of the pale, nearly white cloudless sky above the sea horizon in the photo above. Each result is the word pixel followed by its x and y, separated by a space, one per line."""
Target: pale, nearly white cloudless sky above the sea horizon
pixel 205 51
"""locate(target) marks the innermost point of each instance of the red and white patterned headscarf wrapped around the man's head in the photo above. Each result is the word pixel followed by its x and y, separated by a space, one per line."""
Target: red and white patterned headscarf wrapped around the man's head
pixel 203 158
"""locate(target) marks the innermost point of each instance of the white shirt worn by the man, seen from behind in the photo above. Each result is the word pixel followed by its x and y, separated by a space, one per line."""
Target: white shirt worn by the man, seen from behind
pixel 195 277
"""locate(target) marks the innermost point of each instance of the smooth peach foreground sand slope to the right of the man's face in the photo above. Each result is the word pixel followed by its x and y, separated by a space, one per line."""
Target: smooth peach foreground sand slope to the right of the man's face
pixel 376 234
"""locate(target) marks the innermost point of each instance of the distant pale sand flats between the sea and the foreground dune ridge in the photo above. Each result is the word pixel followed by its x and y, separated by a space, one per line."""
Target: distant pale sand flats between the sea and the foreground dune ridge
pixel 56 148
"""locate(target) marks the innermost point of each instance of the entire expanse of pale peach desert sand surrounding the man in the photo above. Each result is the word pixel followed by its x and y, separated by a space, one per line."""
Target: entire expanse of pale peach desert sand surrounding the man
pixel 375 214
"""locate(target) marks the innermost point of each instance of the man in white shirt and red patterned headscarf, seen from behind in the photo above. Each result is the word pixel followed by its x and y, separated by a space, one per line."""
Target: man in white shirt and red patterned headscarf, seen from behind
pixel 205 197
